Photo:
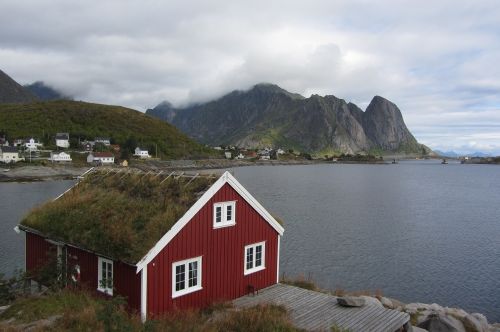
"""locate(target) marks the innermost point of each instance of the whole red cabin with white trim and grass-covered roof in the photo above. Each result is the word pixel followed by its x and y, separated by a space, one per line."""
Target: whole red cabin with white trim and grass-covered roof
pixel 167 242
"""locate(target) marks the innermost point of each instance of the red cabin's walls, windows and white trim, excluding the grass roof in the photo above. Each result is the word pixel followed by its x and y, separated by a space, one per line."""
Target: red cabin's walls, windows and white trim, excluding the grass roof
pixel 223 247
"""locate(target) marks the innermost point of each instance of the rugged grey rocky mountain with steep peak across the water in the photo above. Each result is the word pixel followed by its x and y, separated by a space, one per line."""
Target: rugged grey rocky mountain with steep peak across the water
pixel 268 115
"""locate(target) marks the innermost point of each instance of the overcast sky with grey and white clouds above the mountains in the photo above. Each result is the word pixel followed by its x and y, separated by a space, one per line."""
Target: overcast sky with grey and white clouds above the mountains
pixel 437 60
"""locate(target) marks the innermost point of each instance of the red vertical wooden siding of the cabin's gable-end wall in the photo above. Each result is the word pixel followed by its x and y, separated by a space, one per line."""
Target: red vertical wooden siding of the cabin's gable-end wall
pixel 222 252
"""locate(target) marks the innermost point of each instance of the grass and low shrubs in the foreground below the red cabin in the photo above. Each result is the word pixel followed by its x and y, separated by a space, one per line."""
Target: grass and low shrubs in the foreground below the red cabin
pixel 77 310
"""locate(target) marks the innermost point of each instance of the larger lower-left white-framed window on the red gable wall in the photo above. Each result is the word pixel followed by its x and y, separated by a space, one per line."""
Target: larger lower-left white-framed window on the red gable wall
pixel 186 276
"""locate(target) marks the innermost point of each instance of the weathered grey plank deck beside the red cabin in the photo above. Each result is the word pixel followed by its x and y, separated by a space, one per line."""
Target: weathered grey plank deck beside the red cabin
pixel 314 311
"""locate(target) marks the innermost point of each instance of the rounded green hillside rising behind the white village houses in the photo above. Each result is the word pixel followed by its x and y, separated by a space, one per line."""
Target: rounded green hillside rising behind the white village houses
pixel 82 120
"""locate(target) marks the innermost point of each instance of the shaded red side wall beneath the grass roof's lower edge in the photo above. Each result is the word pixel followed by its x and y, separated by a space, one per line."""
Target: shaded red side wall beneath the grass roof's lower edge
pixel 125 281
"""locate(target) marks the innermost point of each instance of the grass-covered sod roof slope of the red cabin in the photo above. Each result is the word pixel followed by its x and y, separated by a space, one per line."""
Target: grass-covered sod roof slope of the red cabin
pixel 118 215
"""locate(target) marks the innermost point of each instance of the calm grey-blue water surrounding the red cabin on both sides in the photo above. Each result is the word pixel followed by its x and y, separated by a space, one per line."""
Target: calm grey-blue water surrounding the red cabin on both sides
pixel 417 231
